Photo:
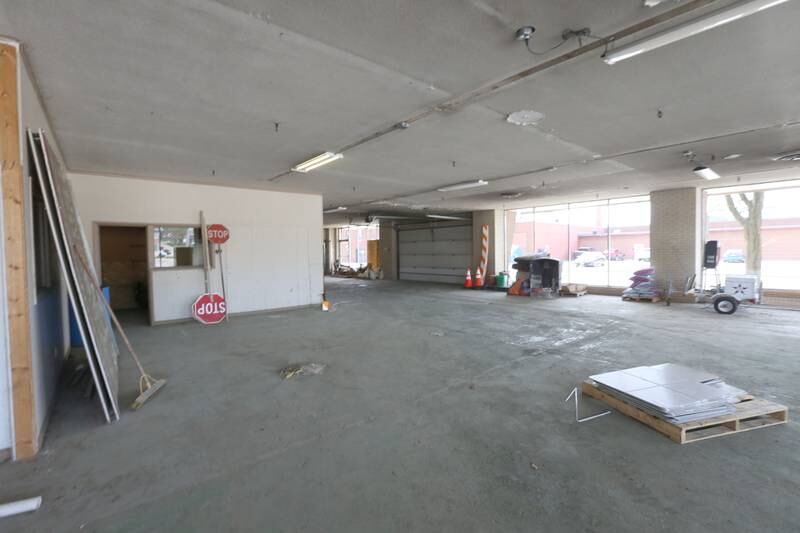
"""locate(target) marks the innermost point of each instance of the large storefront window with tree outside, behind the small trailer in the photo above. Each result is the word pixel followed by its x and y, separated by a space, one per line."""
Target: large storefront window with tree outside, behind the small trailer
pixel 758 230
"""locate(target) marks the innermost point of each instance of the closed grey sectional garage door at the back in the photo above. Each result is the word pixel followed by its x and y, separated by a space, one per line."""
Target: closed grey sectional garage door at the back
pixel 440 254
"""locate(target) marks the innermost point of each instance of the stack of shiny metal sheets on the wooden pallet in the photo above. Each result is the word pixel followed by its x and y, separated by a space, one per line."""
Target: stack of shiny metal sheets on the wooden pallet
pixel 672 392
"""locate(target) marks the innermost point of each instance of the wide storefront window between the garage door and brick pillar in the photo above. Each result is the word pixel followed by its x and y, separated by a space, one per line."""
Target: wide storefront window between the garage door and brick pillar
pixel 599 243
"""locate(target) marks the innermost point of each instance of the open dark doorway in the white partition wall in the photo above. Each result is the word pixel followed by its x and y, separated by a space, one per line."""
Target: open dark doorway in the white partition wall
pixel 124 269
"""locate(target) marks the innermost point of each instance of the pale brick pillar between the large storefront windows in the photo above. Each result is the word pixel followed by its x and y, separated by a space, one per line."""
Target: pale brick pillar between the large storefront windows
pixel 675 235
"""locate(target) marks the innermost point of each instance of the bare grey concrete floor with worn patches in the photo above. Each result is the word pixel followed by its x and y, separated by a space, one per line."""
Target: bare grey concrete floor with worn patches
pixel 435 404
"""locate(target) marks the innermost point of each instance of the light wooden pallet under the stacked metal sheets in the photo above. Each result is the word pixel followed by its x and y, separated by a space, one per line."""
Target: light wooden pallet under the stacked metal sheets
pixel 751 413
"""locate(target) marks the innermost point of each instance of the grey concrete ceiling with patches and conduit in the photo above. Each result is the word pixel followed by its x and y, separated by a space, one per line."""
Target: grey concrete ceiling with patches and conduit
pixel 192 90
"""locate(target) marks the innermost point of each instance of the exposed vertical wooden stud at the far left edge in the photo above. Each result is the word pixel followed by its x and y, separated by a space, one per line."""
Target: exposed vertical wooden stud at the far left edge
pixel 16 267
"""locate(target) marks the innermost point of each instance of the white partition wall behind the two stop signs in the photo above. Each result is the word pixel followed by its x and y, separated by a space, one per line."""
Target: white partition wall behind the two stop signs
pixel 274 256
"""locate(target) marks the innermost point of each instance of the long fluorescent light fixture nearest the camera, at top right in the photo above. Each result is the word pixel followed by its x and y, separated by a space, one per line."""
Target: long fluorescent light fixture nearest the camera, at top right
pixel 710 21
